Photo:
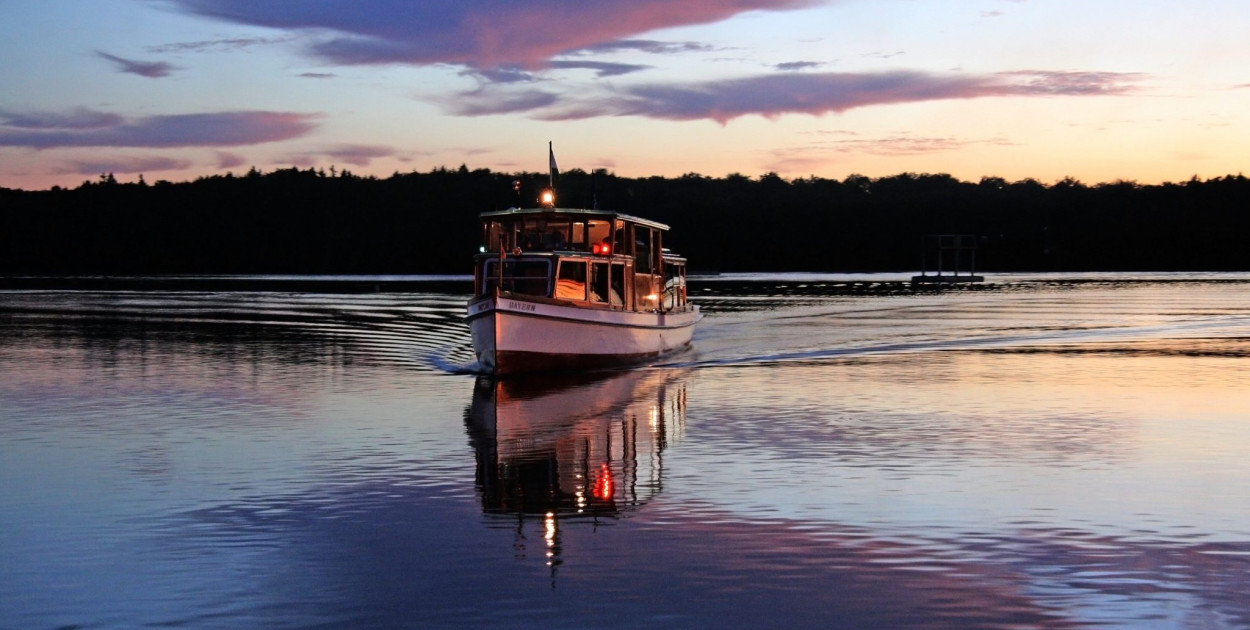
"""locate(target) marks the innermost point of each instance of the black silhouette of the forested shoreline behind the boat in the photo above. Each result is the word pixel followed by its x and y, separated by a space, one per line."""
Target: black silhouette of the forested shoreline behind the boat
pixel 307 222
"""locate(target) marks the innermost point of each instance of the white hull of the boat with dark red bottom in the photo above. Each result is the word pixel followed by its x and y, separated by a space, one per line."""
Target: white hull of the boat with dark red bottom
pixel 514 336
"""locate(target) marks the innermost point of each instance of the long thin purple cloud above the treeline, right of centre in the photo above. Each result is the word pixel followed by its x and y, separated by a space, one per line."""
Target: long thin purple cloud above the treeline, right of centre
pixel 817 94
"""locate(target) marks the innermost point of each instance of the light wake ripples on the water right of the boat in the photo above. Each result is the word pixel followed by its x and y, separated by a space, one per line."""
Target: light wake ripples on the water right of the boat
pixel 1168 321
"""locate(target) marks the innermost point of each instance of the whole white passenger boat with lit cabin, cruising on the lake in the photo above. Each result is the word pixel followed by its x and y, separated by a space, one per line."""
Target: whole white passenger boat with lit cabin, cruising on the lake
pixel 576 289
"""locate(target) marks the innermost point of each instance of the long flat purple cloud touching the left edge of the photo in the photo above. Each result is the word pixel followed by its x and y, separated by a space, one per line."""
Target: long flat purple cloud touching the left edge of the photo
pixel 221 129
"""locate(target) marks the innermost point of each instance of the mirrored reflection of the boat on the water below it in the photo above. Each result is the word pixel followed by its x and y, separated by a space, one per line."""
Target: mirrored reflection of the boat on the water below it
pixel 552 448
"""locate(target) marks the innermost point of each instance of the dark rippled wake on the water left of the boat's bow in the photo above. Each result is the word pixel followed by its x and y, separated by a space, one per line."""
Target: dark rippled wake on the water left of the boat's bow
pixel 422 332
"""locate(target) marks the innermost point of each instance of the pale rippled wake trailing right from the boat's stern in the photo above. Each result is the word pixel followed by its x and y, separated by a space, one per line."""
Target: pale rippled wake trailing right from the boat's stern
pixel 806 336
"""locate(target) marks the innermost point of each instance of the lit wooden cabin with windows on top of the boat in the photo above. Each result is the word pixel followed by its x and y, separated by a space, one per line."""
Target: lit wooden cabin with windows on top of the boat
pixel 586 258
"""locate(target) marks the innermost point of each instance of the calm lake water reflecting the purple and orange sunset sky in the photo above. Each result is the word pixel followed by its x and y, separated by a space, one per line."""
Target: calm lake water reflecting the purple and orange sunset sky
pixel 1041 452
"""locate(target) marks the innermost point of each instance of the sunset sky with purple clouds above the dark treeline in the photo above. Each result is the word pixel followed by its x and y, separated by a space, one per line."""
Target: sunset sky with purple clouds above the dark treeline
pixel 176 89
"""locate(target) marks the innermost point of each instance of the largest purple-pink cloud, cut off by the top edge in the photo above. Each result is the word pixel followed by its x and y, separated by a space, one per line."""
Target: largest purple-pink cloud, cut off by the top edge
pixel 479 34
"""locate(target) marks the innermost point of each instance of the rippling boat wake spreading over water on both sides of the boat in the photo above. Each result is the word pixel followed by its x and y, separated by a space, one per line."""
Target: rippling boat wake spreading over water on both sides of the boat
pixel 426 332
